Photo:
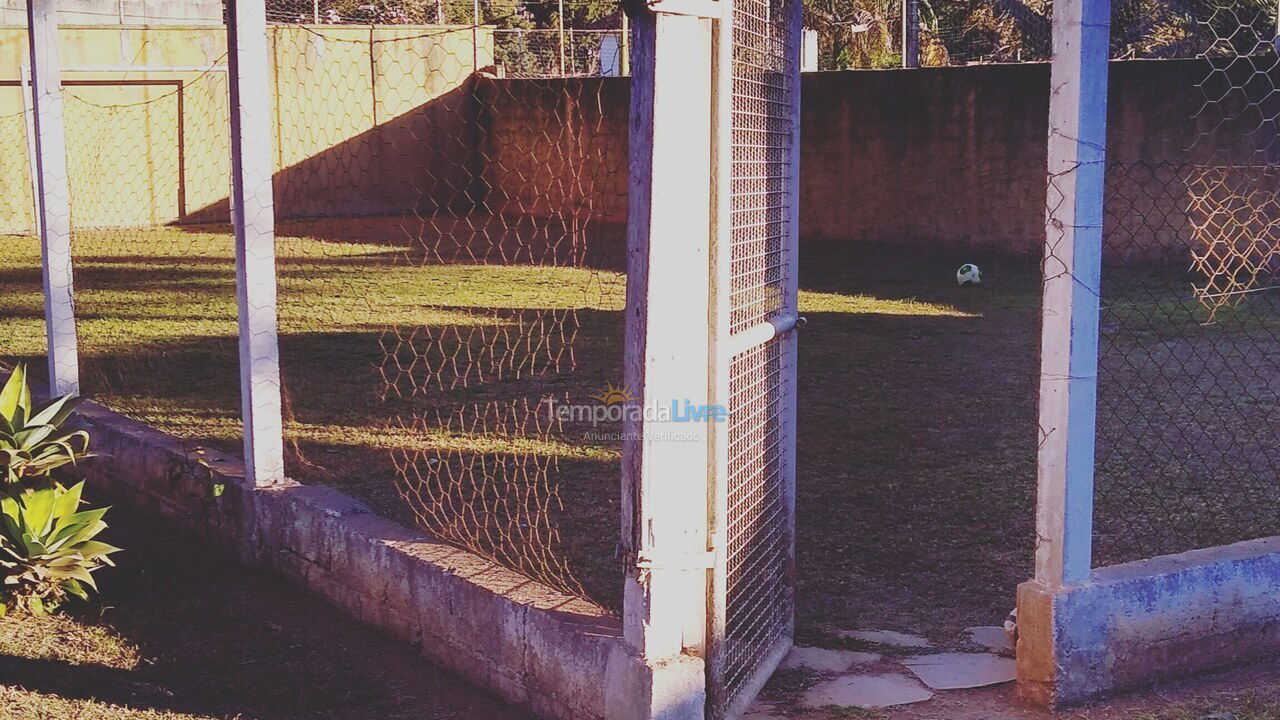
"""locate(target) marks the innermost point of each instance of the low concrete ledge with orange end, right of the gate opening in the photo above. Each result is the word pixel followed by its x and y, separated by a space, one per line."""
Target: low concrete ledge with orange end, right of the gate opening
pixel 1149 621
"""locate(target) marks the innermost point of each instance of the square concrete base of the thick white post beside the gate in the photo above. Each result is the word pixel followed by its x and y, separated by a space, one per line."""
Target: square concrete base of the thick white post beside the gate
pixel 671 690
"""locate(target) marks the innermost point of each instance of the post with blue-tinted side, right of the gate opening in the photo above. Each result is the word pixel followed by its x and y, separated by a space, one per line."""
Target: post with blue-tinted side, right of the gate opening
pixel 1073 258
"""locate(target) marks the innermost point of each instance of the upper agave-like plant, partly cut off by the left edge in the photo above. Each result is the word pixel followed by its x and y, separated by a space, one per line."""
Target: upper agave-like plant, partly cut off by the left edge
pixel 31 445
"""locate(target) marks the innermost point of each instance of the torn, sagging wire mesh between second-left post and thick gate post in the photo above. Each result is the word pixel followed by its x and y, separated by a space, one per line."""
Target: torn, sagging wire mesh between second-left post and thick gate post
pixel 450 272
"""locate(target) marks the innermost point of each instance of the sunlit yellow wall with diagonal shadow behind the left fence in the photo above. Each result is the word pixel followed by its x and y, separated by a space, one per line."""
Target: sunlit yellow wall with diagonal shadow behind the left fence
pixel 367 121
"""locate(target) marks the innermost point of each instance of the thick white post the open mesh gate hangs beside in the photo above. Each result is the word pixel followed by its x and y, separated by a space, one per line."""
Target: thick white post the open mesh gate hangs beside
pixel 666 463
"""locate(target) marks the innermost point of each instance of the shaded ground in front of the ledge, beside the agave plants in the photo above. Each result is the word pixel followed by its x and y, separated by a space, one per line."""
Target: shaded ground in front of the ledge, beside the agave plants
pixel 179 634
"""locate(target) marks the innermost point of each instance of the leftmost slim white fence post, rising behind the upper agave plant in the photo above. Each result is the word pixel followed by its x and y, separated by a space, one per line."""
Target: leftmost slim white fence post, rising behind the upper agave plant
pixel 53 199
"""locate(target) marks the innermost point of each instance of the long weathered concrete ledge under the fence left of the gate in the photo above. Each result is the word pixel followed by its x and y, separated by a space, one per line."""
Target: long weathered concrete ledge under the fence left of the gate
pixel 527 642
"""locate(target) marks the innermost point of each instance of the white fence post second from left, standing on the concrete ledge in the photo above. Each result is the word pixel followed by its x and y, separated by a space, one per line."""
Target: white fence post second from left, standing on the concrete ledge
pixel 254 222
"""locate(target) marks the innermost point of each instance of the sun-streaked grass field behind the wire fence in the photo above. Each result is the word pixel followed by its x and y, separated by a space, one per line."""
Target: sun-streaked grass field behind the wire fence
pixel 917 430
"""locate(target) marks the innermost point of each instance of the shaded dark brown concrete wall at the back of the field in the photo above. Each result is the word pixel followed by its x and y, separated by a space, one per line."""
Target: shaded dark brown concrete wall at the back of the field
pixel 945 160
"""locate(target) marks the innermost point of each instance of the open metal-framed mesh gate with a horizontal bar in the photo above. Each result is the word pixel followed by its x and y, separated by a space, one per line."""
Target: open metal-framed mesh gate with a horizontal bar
pixel 755 254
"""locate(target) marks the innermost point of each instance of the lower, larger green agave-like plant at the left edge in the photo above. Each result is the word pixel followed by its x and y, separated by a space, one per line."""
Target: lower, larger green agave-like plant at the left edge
pixel 48 549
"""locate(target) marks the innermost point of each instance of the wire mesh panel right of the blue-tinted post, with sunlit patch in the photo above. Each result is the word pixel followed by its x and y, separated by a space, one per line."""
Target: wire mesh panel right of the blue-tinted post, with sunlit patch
pixel 1188 380
